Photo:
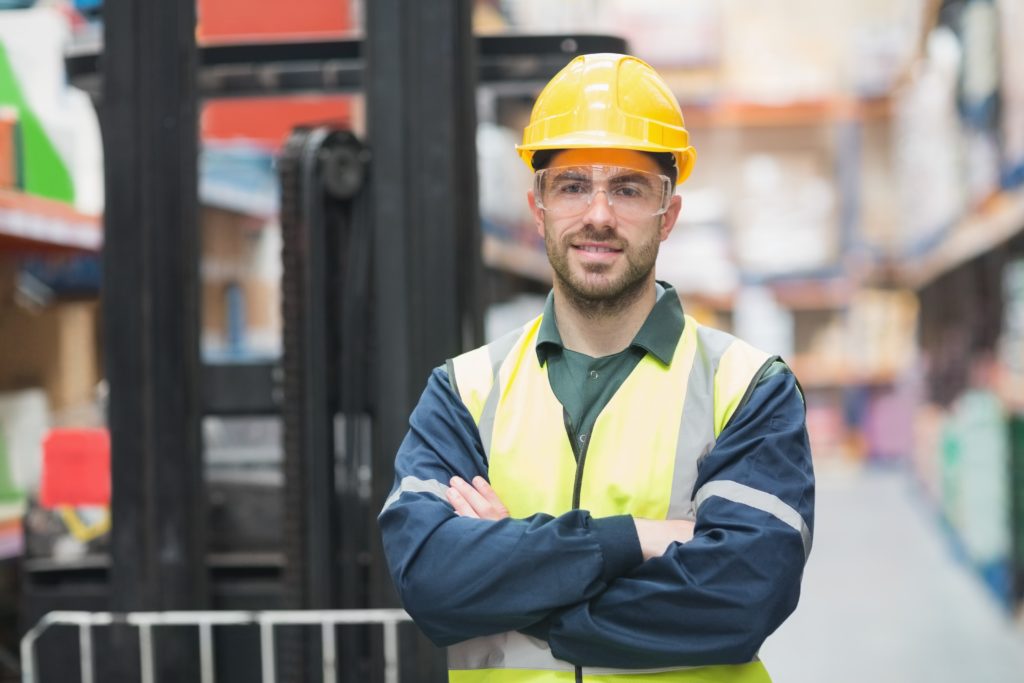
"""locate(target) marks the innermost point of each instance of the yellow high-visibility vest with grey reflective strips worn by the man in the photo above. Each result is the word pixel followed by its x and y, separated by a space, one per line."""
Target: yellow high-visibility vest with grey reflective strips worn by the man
pixel 533 468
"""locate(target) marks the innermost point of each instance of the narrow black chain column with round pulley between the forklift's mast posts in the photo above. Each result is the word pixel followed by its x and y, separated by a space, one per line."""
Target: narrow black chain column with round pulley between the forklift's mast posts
pixel 322 177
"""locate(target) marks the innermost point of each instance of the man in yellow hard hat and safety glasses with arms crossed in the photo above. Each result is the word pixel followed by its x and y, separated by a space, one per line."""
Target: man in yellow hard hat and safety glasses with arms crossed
pixel 613 490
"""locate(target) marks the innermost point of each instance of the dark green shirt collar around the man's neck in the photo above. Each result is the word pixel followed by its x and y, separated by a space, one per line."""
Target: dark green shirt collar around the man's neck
pixel 659 335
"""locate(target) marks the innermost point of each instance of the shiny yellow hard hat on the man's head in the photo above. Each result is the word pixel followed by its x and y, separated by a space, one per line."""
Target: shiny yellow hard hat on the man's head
pixel 609 101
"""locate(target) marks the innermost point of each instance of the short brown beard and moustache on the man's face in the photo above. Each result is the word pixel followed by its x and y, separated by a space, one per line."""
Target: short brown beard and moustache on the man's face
pixel 594 289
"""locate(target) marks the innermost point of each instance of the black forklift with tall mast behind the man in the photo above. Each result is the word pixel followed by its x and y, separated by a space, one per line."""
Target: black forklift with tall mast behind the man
pixel 382 281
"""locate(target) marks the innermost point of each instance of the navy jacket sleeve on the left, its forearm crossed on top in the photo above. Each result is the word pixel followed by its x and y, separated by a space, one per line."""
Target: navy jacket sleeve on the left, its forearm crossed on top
pixel 461 578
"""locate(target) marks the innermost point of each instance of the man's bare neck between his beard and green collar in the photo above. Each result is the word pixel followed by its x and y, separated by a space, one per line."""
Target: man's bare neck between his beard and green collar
pixel 602 333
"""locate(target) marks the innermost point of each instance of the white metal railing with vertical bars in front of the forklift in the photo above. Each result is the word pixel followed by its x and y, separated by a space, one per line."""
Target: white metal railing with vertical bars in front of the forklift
pixel 328 620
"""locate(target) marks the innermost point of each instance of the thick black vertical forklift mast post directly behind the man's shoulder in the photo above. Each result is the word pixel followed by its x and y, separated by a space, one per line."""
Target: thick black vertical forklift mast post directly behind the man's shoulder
pixel 421 91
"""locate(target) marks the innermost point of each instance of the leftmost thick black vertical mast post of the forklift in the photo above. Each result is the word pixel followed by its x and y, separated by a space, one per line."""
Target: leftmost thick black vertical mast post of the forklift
pixel 151 322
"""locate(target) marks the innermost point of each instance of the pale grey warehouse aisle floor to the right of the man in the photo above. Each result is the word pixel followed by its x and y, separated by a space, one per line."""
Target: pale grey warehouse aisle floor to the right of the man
pixel 884 599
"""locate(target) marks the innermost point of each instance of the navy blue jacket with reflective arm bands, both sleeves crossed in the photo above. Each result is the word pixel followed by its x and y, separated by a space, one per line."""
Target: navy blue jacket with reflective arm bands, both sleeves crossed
pixel 580 583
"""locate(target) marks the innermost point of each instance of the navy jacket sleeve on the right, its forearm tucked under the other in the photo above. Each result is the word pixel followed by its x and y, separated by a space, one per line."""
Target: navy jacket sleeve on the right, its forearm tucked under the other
pixel 715 600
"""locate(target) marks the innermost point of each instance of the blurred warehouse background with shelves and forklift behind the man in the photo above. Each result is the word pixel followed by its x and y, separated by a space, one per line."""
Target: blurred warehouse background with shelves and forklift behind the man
pixel 235 238
